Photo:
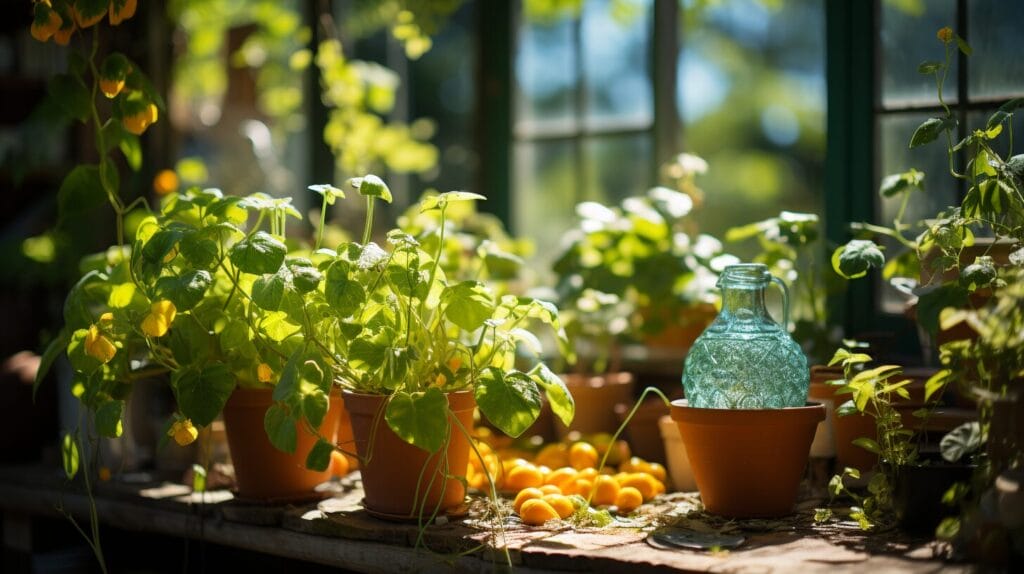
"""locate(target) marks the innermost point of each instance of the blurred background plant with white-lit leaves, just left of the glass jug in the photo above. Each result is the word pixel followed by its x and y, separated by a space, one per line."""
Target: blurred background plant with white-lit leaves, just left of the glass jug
pixel 642 259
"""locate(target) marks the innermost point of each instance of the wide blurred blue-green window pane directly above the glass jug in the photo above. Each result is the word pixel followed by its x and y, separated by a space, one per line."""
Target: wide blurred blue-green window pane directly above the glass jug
pixel 752 98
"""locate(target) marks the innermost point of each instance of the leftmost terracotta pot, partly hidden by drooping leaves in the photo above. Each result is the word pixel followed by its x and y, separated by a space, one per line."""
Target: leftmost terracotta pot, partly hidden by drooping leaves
pixel 262 471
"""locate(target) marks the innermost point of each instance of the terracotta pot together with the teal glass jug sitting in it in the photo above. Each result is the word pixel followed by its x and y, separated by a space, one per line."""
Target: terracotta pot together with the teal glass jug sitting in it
pixel 746 422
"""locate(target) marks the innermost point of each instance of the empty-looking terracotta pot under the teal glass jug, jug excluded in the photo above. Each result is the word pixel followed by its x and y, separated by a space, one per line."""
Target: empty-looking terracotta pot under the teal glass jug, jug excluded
pixel 748 463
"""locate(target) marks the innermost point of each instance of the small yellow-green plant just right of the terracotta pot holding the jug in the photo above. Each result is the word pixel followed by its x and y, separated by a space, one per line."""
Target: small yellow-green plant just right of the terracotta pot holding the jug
pixel 875 392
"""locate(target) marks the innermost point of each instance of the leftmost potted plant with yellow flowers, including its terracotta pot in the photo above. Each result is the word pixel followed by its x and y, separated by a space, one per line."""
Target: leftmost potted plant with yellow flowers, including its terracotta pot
pixel 189 299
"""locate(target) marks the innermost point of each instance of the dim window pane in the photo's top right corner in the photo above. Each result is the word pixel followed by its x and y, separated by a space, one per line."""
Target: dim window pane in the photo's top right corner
pixel 997 69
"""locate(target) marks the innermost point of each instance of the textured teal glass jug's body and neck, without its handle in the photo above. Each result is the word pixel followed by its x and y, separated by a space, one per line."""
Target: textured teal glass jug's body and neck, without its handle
pixel 745 360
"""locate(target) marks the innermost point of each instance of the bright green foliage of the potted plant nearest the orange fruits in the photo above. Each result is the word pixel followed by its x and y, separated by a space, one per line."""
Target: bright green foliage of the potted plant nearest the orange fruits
pixel 391 322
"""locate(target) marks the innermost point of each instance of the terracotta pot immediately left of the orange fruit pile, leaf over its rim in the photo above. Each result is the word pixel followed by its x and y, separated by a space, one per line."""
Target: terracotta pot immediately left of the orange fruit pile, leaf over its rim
pixel 399 479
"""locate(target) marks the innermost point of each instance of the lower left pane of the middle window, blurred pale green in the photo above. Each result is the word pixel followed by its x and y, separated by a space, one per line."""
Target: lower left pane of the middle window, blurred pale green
pixel 545 194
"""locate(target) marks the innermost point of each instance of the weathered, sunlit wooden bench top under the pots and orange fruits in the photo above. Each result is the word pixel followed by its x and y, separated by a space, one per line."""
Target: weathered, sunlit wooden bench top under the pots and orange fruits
pixel 338 533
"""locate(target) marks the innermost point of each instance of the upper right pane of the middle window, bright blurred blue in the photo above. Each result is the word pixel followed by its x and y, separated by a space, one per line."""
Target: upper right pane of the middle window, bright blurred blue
pixel 616 48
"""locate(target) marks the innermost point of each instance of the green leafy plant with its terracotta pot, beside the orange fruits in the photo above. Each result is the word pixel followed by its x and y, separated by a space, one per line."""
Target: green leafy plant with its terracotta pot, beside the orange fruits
pixel 416 352
